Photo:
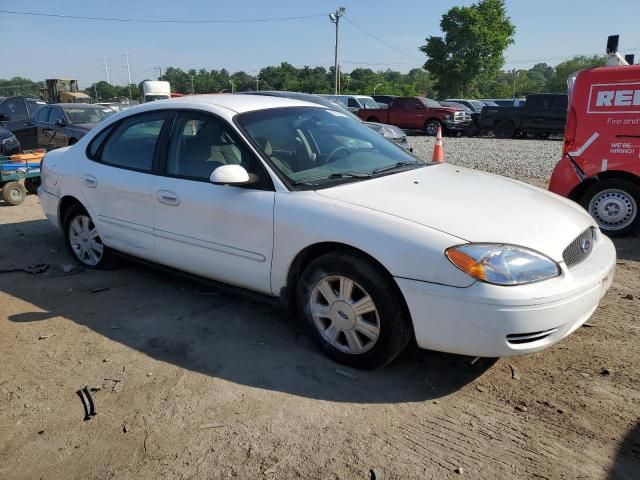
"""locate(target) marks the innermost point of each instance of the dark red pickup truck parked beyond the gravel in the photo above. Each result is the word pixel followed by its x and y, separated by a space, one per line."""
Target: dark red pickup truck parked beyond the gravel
pixel 419 113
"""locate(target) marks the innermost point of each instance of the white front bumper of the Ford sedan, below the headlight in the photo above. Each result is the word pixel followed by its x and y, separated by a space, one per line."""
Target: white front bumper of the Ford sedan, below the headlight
pixel 492 321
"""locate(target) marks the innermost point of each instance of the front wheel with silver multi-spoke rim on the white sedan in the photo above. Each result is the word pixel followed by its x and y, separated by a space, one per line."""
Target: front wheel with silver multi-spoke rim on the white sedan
pixel 367 340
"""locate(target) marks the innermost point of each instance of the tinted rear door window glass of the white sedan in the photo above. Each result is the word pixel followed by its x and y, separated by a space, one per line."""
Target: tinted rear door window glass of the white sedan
pixel 133 143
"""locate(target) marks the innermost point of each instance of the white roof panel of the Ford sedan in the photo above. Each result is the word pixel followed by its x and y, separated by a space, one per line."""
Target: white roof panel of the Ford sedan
pixel 238 103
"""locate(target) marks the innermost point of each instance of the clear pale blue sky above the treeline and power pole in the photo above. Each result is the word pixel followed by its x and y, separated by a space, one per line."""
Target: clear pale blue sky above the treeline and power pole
pixel 47 47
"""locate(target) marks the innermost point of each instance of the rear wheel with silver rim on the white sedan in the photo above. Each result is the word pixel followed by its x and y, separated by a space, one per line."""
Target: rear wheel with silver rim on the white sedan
pixel 85 248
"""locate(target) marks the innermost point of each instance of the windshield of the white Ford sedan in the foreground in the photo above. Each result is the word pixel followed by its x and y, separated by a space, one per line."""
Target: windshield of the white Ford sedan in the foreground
pixel 317 147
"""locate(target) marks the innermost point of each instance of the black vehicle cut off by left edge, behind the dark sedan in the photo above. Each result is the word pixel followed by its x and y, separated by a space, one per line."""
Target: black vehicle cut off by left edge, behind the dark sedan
pixel 16 115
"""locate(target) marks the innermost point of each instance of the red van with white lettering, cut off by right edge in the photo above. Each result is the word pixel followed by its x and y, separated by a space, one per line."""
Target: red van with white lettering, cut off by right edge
pixel 600 164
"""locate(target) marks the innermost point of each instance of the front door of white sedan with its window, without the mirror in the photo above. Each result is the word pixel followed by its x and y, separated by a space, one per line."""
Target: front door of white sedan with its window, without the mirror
pixel 221 232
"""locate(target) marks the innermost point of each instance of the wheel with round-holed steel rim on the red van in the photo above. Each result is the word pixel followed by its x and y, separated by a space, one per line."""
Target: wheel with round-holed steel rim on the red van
pixel 614 204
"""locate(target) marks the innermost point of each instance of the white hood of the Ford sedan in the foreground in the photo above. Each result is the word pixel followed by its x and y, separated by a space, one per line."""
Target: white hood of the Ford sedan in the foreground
pixel 473 206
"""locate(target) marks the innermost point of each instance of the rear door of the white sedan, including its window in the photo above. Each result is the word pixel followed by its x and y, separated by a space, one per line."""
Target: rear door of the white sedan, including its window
pixel 117 182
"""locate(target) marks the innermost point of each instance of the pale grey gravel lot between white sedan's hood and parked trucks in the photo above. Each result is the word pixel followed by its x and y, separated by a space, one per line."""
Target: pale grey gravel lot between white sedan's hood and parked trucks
pixel 533 159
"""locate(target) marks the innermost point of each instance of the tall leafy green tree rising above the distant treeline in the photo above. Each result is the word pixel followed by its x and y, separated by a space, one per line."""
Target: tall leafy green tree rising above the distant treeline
pixel 472 48
